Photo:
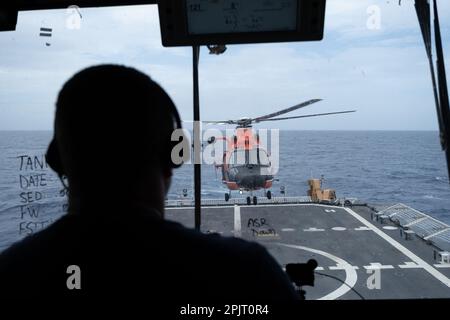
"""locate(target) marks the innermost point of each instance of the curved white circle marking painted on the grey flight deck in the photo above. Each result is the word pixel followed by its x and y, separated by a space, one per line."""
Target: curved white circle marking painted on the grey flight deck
pixel 350 273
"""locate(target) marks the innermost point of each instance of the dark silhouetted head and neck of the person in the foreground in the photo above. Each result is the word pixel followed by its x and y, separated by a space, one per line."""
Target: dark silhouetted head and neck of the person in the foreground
pixel 112 139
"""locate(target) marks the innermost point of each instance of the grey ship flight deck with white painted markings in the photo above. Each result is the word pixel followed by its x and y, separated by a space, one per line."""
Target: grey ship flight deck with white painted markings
pixel 392 252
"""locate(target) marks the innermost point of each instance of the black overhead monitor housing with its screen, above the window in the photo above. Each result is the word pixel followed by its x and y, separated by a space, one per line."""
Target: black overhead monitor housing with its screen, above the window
pixel 206 22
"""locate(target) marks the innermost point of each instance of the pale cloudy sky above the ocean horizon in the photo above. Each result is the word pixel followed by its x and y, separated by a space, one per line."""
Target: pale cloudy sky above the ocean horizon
pixel 382 72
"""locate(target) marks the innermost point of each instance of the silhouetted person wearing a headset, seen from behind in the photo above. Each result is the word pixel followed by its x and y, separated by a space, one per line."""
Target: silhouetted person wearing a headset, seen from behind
pixel 112 140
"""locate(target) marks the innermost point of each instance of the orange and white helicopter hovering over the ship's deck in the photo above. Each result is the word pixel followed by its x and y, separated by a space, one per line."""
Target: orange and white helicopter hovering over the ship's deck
pixel 246 165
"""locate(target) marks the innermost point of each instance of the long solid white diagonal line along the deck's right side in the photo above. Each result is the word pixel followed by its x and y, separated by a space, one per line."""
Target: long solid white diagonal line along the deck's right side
pixel 435 273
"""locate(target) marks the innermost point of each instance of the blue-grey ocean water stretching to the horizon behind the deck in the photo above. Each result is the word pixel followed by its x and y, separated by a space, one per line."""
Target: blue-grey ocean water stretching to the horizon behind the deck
pixel 378 167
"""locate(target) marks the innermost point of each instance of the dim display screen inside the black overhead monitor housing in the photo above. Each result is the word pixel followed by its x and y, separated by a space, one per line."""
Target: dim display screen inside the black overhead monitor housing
pixel 241 16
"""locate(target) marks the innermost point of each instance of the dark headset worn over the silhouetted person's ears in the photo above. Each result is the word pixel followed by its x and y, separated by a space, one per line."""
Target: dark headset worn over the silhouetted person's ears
pixel 53 157
